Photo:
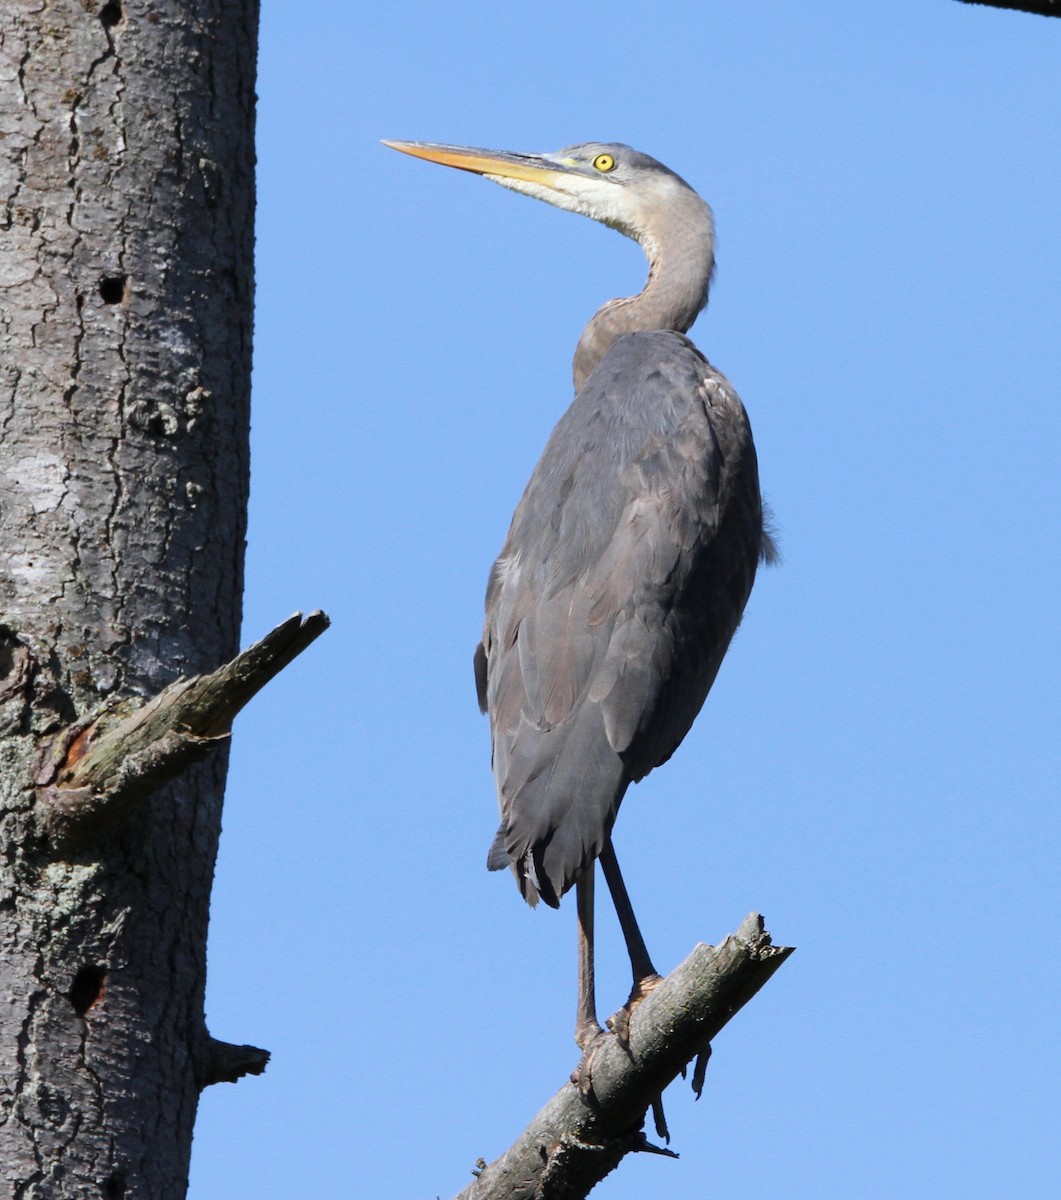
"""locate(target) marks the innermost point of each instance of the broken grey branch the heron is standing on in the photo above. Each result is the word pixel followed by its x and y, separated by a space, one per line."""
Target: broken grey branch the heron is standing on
pixel 573 1143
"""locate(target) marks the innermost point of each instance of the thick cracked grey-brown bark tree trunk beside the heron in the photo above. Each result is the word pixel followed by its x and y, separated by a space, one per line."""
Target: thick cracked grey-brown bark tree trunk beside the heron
pixel 127 237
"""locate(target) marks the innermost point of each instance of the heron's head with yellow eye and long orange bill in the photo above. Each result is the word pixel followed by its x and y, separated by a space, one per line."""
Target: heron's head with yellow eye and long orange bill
pixel 606 181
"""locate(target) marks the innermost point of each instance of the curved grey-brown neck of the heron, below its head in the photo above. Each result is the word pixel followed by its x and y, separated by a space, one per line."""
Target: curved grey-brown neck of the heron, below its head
pixel 681 262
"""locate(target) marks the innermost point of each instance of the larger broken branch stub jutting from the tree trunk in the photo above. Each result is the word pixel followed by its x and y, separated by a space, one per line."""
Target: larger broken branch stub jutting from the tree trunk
pixel 121 757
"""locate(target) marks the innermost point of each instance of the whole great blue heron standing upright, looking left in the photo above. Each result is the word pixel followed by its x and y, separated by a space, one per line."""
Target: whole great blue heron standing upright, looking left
pixel 631 556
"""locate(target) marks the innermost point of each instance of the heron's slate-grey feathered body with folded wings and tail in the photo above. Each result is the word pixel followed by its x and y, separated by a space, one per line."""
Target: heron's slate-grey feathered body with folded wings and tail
pixel 624 578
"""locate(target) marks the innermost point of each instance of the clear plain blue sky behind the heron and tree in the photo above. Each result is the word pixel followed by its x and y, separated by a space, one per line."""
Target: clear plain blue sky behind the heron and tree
pixel 878 766
